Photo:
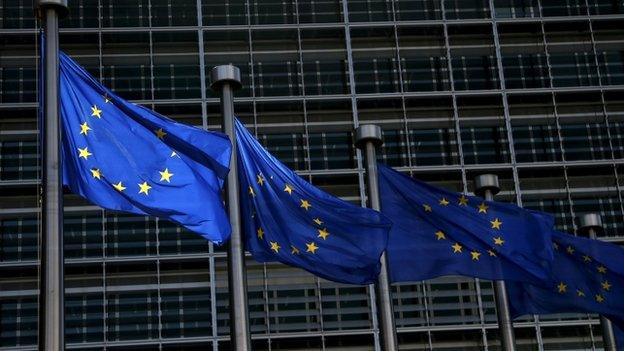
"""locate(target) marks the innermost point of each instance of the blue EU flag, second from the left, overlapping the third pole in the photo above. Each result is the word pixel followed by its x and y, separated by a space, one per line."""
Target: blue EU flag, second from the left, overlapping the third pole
pixel 287 219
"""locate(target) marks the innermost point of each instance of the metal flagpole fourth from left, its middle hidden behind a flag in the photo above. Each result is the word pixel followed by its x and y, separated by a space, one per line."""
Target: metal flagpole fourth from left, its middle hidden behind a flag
pixel 486 185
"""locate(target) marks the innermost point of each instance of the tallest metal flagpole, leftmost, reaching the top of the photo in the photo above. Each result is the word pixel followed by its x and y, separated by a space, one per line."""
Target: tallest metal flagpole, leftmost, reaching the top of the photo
pixel 51 299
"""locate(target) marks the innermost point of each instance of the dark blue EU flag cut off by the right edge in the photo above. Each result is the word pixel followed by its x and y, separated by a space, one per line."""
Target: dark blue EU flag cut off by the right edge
pixel 589 278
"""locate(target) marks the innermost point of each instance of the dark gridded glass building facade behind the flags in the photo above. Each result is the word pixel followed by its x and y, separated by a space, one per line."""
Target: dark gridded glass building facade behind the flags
pixel 531 90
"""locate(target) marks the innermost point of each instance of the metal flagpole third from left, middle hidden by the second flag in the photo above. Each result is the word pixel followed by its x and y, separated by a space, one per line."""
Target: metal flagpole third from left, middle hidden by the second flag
pixel 367 138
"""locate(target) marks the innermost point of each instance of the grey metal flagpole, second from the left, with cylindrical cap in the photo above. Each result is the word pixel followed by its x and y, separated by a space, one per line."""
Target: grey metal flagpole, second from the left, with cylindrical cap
pixel 226 79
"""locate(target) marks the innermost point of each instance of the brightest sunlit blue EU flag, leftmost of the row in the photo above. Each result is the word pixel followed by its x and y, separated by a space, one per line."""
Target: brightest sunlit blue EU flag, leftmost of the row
pixel 124 157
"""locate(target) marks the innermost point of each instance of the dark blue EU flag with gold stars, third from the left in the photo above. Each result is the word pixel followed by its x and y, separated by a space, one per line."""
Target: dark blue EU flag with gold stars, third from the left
pixel 436 232
